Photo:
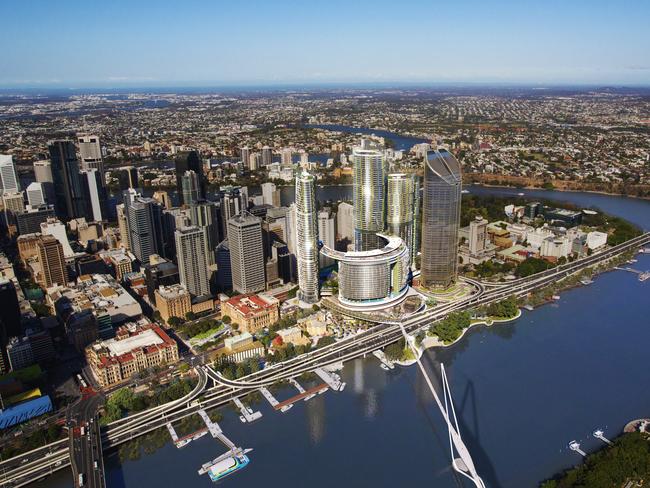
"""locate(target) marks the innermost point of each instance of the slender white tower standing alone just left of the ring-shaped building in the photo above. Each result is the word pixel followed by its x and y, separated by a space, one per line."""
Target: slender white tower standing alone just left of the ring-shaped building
pixel 306 238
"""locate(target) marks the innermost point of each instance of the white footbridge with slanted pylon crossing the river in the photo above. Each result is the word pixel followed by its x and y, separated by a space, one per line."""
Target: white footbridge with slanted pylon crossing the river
pixel 462 464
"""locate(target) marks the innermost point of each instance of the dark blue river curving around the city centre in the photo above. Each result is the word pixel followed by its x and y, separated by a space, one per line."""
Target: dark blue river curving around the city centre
pixel 522 391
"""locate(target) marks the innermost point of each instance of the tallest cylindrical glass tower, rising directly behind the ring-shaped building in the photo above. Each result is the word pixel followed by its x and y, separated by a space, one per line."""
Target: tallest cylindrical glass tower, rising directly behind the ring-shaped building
pixel 368 195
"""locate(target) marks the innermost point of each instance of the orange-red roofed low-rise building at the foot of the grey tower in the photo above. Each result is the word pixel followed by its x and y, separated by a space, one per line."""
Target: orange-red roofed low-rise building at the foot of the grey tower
pixel 252 312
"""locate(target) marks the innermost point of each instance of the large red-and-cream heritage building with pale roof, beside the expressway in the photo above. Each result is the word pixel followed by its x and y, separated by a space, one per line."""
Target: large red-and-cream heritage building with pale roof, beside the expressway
pixel 135 348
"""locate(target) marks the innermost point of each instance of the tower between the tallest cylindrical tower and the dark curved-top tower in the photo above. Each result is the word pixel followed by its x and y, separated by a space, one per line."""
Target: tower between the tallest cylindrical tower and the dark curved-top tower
pixel 400 198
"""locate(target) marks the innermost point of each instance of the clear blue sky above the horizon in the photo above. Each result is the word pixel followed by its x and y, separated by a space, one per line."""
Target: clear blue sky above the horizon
pixel 119 43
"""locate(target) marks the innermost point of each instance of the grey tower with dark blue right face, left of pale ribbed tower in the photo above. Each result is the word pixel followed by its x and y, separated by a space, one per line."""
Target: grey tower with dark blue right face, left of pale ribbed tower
pixel 143 220
